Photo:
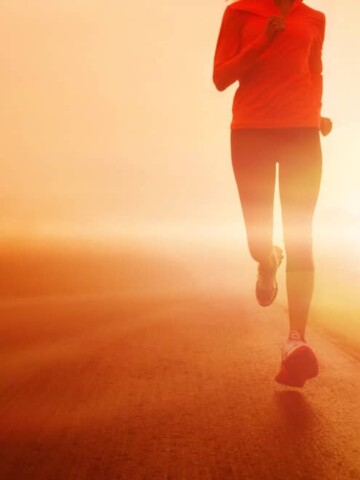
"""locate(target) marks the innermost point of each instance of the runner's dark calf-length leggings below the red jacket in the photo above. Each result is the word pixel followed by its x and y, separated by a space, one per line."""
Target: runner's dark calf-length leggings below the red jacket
pixel 255 153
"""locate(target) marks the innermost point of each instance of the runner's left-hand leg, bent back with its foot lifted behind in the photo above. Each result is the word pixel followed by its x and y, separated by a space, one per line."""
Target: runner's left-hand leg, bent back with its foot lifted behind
pixel 254 164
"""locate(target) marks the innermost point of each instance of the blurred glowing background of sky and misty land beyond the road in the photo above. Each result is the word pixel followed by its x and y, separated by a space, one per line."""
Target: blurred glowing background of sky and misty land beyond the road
pixel 115 154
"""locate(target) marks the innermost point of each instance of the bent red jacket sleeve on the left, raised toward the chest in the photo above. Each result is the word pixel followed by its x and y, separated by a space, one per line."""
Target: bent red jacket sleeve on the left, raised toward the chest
pixel 231 59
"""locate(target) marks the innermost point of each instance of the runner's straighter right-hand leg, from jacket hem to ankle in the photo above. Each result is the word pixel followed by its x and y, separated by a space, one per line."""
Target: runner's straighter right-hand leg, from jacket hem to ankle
pixel 300 169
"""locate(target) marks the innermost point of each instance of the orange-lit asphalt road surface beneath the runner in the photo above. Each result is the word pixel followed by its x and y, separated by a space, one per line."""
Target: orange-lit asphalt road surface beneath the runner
pixel 167 384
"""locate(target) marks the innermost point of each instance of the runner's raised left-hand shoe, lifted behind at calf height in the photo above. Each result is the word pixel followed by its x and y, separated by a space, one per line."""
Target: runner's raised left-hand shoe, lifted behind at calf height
pixel 266 285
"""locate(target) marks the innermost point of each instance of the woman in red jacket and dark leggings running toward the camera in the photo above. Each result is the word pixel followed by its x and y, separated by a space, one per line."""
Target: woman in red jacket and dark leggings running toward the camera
pixel 274 49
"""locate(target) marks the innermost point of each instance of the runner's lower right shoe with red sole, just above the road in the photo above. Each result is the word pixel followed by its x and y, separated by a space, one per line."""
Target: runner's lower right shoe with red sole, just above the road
pixel 299 362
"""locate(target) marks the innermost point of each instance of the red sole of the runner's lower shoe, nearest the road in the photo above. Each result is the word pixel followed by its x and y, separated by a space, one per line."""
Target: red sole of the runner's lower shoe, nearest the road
pixel 299 366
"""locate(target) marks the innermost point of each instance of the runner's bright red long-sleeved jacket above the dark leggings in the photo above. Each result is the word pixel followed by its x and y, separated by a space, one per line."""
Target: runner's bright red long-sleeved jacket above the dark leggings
pixel 280 81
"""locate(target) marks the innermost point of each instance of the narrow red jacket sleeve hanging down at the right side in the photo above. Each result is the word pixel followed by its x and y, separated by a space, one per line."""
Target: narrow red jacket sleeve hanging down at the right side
pixel 315 62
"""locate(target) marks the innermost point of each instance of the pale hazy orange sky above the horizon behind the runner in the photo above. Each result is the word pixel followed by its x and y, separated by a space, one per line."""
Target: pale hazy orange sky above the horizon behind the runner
pixel 109 114
